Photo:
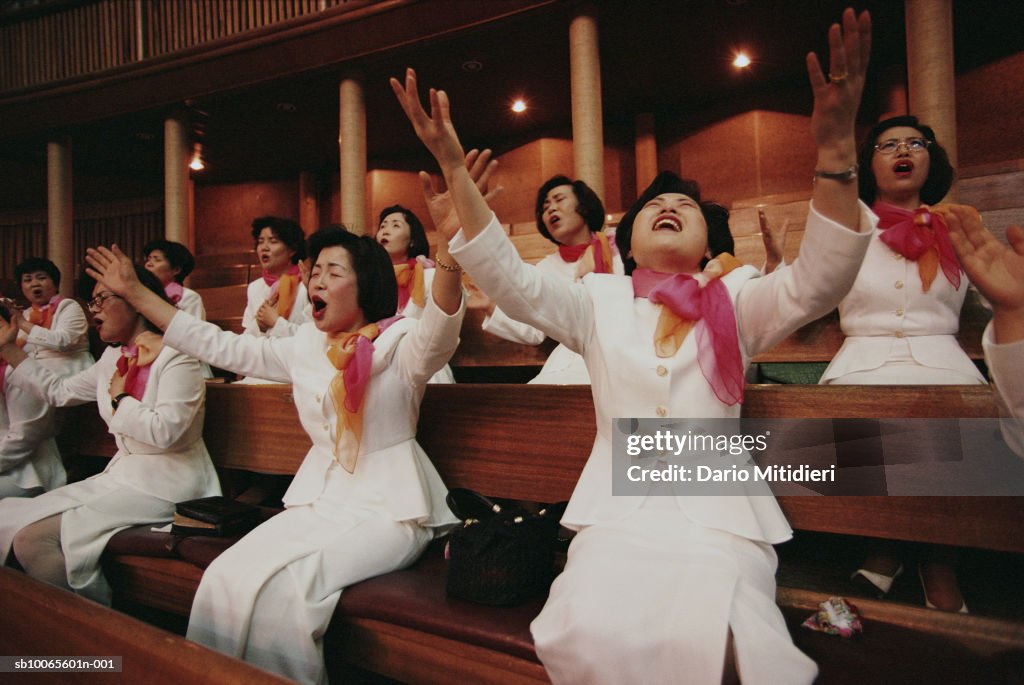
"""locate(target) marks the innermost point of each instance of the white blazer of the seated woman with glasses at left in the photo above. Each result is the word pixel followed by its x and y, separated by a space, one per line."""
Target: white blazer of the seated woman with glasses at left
pixel 160 440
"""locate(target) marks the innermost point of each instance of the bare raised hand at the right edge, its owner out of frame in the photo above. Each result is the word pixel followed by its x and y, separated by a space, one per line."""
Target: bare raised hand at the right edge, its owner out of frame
pixel 997 270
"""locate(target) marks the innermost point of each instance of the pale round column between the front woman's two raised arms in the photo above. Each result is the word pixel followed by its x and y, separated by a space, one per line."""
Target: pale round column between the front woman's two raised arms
pixel 588 132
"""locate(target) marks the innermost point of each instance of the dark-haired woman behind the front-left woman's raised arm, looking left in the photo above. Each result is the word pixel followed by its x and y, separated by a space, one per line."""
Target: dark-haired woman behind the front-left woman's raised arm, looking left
pixel 402 235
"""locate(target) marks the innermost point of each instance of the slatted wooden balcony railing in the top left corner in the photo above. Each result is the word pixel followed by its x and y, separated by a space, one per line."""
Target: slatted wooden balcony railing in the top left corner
pixel 54 40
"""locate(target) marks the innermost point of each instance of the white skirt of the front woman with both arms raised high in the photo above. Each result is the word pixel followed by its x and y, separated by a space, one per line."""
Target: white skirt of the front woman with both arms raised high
pixel 653 600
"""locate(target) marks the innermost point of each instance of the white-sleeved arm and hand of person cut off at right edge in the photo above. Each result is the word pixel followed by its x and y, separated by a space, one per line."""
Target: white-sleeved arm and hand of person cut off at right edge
pixel 997 270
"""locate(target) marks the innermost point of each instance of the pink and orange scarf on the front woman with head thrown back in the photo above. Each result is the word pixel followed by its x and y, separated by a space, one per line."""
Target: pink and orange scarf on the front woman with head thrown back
pixel 709 312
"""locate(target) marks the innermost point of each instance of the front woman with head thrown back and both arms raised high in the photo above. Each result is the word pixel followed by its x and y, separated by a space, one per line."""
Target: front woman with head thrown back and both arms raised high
pixel 659 589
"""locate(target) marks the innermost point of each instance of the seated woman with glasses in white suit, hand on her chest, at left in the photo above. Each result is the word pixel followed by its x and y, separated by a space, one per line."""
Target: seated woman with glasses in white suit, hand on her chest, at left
pixel 152 398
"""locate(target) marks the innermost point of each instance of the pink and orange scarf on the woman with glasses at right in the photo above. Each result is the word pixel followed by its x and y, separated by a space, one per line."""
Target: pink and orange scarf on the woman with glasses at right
pixel 922 237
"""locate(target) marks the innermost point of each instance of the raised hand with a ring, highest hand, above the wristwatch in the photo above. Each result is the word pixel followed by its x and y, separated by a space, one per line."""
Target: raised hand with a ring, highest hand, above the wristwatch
pixel 837 98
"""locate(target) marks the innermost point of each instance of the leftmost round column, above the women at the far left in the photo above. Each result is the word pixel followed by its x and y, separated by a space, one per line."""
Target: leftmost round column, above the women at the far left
pixel 60 221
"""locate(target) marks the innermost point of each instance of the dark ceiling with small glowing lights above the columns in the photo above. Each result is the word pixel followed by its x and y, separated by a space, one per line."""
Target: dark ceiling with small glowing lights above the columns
pixel 671 59
